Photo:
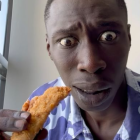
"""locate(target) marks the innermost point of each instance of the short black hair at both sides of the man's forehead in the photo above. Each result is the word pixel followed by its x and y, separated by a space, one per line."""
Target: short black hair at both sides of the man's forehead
pixel 121 4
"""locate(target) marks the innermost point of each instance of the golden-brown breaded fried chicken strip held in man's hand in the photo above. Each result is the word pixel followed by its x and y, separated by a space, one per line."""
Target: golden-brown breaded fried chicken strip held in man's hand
pixel 40 107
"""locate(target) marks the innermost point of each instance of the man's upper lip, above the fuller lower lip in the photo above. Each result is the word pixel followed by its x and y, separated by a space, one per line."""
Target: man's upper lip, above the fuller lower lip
pixel 92 87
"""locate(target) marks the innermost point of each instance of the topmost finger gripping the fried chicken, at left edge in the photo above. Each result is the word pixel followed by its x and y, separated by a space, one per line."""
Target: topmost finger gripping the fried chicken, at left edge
pixel 13 113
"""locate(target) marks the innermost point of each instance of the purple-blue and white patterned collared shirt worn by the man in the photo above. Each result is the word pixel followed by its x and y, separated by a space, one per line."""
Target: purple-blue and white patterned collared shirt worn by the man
pixel 66 123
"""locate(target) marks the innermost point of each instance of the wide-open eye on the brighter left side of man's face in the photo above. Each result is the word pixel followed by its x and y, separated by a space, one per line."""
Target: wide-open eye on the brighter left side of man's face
pixel 68 42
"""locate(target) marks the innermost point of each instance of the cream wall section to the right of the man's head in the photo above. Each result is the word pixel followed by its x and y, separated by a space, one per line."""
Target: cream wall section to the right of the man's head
pixel 134 20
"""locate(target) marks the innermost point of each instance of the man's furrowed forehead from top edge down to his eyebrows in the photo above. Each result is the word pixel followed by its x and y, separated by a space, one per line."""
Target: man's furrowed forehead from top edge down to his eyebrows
pixel 63 13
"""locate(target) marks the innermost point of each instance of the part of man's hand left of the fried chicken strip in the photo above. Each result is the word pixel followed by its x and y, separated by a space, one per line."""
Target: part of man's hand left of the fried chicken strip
pixel 12 121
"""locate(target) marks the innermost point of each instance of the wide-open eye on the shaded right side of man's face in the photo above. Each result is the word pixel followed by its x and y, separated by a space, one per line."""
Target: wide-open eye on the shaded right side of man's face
pixel 108 36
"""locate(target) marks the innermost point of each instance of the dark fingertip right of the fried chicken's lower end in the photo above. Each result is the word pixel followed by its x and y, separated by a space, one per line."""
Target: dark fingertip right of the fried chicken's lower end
pixel 41 135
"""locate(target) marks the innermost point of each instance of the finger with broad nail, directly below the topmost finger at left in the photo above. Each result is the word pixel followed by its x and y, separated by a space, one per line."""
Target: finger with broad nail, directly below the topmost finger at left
pixel 12 125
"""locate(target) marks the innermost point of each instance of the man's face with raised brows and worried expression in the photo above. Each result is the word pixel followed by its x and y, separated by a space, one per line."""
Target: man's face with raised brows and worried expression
pixel 89 43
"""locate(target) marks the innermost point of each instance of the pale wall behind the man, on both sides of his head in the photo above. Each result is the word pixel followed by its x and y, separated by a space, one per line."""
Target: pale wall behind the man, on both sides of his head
pixel 29 64
